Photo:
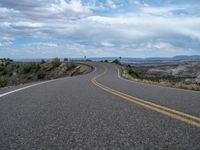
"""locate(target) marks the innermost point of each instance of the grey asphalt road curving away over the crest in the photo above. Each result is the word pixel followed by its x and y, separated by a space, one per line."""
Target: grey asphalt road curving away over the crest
pixel 98 110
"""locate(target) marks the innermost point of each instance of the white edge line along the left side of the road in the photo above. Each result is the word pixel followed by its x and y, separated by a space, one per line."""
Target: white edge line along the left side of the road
pixel 26 87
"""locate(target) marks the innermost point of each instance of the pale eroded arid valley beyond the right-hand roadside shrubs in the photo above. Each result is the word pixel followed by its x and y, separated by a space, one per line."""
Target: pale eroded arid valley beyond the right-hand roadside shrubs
pixel 184 71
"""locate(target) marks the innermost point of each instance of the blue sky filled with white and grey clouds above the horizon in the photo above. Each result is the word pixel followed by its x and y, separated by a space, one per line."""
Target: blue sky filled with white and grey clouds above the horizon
pixel 99 28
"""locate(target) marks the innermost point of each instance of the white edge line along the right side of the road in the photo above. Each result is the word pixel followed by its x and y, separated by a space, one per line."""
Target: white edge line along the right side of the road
pixel 138 82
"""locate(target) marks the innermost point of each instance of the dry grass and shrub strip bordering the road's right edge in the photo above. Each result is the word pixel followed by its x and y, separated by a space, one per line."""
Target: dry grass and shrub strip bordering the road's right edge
pixel 128 72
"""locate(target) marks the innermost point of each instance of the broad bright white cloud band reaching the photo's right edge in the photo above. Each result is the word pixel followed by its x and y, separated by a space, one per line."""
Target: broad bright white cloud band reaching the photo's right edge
pixel 135 26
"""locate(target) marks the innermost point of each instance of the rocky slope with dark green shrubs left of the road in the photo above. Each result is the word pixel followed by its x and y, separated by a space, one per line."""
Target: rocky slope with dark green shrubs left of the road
pixel 14 73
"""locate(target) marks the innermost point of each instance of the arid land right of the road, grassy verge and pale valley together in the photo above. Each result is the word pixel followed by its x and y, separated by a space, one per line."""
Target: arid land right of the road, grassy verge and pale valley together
pixel 179 74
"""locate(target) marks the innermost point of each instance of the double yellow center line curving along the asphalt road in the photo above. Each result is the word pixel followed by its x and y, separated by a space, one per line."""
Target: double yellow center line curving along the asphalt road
pixel 193 120
